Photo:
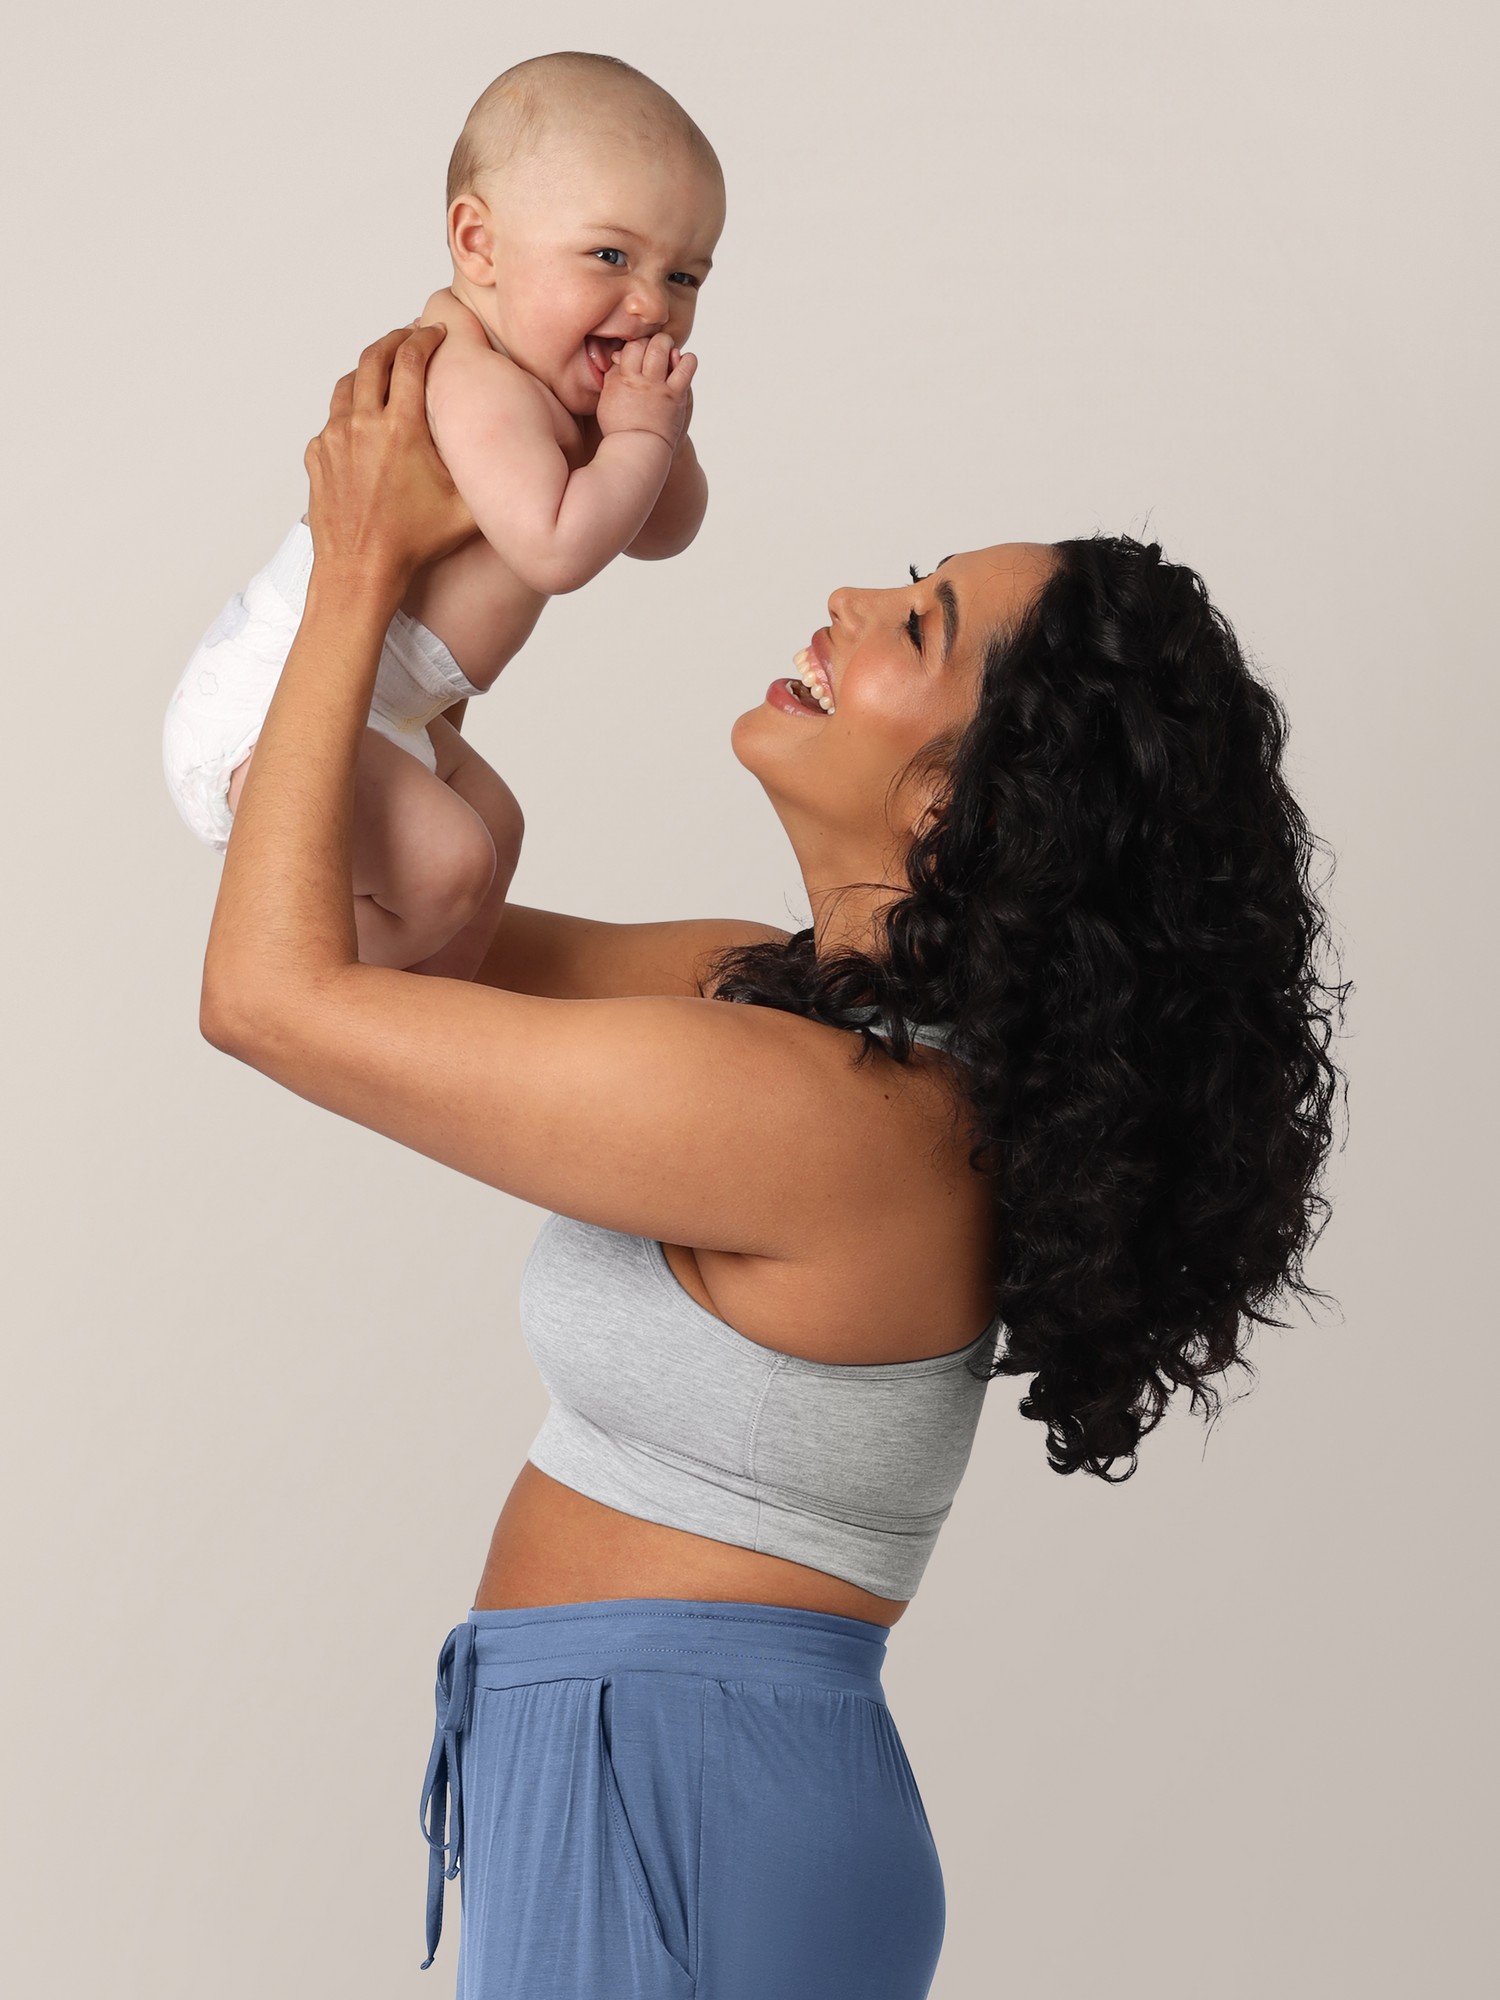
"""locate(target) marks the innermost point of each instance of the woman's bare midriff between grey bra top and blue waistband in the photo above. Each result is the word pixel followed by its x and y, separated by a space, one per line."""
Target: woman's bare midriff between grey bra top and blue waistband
pixel 559 1547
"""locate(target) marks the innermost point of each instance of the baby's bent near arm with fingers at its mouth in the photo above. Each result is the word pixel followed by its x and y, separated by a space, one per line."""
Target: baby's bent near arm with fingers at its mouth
pixel 559 527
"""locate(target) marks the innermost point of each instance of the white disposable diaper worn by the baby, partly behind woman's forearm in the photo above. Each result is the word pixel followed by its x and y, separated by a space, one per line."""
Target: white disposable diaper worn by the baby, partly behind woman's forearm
pixel 215 715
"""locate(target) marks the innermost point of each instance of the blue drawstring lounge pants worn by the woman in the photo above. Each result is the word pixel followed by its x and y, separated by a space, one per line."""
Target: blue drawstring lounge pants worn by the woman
pixel 677 1801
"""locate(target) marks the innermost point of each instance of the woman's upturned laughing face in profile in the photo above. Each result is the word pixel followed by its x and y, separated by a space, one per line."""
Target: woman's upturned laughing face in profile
pixel 903 673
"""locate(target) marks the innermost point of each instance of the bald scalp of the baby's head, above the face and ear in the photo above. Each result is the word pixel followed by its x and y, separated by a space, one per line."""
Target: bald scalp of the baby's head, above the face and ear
pixel 563 97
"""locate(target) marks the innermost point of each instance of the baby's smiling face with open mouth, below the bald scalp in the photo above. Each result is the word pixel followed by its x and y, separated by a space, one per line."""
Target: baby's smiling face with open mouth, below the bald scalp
pixel 597 245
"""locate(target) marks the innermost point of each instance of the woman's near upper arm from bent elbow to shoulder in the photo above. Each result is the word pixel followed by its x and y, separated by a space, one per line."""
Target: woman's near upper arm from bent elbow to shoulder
pixel 691 1121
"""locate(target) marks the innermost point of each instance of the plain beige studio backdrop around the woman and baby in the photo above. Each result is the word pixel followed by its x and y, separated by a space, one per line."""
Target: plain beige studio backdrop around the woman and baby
pixel 1223 271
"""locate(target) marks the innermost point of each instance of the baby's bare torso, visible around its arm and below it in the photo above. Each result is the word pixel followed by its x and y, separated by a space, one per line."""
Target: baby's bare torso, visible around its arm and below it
pixel 473 599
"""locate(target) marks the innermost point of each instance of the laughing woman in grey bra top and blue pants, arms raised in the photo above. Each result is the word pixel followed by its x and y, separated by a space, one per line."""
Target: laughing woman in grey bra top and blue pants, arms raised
pixel 1045 1091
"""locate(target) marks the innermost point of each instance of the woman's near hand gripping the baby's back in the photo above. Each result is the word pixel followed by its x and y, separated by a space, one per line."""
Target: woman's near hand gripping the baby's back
pixel 383 503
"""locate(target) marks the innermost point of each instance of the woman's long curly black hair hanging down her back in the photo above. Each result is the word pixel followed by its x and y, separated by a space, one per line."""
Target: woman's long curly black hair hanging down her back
pixel 1113 909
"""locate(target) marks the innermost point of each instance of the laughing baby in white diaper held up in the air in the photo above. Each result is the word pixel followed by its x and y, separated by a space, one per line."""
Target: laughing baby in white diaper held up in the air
pixel 583 215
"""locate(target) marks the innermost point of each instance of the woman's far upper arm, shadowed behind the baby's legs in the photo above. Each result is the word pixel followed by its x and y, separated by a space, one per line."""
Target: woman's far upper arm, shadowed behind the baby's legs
pixel 579 959
